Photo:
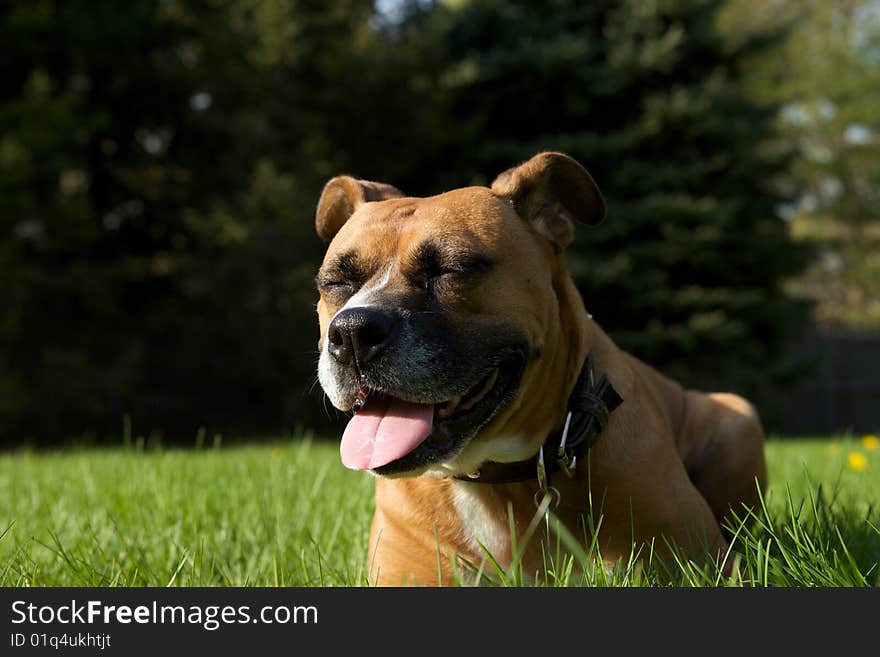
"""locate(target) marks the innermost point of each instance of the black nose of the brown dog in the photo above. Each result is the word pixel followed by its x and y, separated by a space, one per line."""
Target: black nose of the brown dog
pixel 360 334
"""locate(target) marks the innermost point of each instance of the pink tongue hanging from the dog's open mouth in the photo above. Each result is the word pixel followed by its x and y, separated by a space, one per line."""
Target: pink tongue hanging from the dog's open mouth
pixel 384 430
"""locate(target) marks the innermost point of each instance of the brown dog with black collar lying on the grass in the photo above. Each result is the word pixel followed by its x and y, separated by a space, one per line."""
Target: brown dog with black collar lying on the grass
pixel 451 326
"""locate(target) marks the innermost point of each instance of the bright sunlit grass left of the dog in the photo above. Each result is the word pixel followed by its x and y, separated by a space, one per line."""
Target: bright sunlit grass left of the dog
pixel 266 515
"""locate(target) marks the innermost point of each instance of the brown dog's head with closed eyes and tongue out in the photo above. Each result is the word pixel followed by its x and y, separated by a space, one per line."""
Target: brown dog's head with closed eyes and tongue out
pixel 440 316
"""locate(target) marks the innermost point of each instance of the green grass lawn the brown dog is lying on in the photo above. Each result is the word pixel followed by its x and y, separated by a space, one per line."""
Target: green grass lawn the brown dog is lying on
pixel 291 515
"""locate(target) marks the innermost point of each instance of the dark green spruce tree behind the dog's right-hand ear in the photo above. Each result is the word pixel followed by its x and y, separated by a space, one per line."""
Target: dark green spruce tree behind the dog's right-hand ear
pixel 687 270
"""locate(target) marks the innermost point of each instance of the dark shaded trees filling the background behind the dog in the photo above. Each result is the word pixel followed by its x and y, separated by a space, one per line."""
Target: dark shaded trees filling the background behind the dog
pixel 159 166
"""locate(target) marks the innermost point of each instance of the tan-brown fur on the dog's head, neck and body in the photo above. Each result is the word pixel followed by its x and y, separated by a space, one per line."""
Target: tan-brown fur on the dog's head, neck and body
pixel 671 462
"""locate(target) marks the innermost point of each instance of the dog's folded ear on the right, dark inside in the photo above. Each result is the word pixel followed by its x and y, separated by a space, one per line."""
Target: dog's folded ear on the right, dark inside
pixel 552 191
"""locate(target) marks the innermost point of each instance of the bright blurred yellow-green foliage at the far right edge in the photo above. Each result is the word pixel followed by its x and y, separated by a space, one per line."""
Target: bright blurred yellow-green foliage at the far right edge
pixel 825 76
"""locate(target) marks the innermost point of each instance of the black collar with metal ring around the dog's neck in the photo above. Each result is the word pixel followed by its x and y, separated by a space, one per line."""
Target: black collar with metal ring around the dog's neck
pixel 589 407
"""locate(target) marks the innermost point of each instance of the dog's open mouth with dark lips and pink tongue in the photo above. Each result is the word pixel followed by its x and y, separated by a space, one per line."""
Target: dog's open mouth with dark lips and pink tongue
pixel 392 435
